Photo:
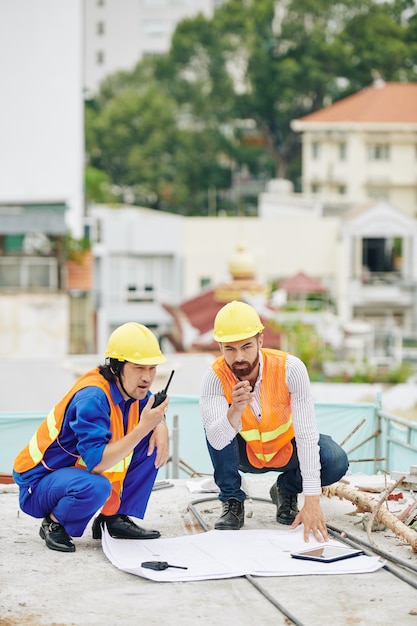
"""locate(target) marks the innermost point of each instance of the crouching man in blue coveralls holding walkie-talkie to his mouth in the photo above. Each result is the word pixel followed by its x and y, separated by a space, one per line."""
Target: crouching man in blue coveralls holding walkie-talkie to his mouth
pixel 100 447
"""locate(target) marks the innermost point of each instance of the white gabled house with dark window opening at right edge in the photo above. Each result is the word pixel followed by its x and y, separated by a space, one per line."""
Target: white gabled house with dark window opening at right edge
pixel 377 281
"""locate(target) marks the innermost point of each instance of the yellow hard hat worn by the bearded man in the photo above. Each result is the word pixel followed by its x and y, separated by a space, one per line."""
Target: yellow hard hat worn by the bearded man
pixel 236 321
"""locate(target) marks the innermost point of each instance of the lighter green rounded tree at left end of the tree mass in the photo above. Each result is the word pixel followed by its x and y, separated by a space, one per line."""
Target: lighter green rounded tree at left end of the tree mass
pixel 151 155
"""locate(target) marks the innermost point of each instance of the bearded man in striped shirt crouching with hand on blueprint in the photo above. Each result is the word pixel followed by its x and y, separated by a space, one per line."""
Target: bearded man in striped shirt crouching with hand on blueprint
pixel 258 416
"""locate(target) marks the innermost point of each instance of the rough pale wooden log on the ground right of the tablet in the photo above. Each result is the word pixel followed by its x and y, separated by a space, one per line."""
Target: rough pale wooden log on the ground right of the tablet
pixel 367 503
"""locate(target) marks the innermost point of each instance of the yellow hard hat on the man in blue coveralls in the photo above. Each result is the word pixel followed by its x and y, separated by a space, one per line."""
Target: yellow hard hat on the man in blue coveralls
pixel 135 343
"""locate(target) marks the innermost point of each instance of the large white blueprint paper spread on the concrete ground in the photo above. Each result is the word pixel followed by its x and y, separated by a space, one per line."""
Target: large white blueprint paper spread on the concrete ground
pixel 228 554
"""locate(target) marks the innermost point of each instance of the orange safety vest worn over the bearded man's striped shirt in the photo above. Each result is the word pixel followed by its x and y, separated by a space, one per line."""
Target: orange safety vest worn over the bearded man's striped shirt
pixel 268 442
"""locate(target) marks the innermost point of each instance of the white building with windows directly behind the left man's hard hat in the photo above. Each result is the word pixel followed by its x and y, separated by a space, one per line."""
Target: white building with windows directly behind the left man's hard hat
pixel 139 256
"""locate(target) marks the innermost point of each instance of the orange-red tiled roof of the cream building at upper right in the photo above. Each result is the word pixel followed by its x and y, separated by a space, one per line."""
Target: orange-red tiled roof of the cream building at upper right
pixel 388 102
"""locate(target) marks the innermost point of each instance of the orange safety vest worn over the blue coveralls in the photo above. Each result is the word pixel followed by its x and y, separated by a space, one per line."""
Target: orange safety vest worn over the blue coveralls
pixel 51 426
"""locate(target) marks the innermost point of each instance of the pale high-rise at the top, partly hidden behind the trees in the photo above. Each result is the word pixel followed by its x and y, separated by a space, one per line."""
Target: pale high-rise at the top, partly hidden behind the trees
pixel 118 33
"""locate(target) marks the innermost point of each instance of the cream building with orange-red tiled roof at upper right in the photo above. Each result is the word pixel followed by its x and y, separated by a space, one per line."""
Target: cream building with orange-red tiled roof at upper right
pixel 363 147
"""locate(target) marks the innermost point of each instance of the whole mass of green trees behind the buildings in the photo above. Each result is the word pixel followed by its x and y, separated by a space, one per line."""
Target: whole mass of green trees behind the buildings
pixel 223 98
